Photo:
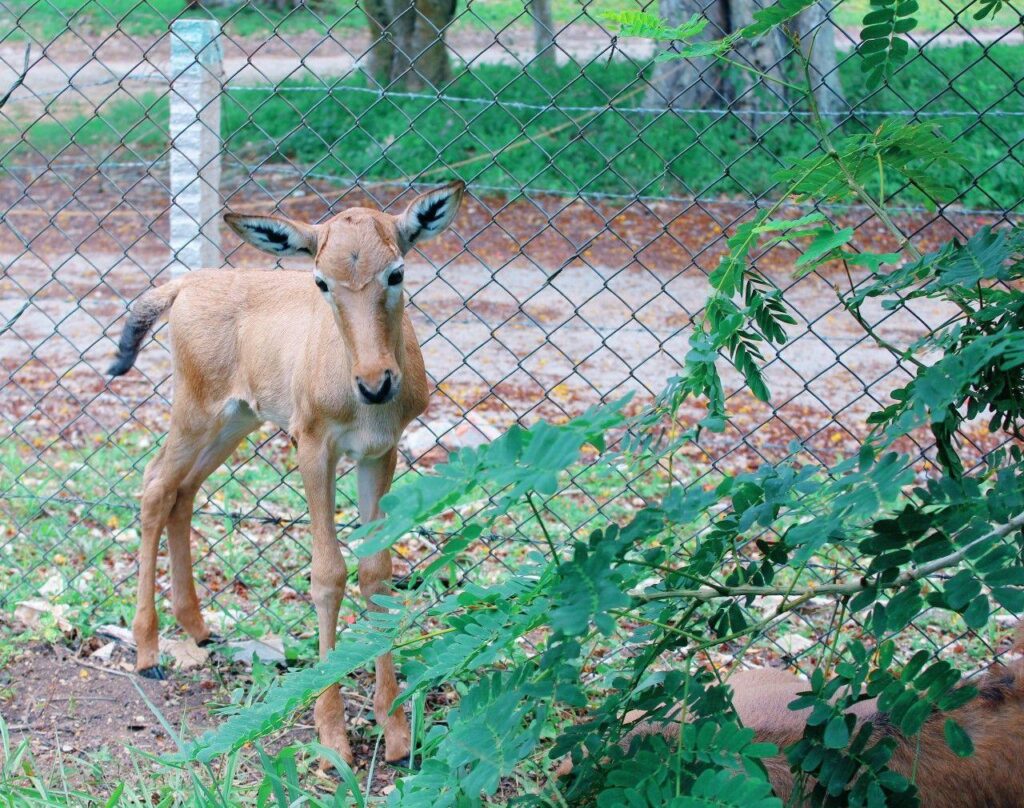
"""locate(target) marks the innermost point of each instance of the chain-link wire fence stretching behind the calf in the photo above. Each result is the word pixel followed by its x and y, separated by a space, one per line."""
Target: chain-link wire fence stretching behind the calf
pixel 603 189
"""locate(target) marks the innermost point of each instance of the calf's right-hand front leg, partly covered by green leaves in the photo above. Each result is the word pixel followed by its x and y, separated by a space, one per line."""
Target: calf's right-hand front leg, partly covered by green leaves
pixel 375 579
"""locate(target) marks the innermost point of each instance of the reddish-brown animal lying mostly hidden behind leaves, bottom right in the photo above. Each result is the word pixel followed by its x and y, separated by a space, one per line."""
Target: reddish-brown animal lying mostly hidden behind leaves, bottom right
pixel 992 778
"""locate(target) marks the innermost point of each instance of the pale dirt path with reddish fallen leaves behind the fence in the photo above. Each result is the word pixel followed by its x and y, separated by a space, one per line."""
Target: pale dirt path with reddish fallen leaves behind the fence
pixel 531 308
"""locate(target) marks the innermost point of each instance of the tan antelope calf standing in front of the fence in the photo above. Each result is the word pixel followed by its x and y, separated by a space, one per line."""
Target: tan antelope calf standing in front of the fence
pixel 329 357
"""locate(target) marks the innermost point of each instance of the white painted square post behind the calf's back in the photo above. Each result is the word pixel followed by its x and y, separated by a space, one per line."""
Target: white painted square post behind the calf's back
pixel 197 70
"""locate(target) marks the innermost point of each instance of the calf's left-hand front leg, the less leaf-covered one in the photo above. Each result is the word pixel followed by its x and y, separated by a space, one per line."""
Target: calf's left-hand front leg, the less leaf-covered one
pixel 317 464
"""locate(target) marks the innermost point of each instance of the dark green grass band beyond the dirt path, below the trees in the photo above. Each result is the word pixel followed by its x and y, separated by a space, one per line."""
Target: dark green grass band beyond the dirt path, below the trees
pixel 347 132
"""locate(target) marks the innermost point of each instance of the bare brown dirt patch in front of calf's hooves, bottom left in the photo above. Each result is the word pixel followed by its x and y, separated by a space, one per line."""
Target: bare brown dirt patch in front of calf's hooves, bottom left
pixel 71 707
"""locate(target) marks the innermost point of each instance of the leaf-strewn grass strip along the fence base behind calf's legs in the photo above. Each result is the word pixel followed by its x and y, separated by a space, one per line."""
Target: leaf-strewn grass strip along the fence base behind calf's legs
pixel 73 535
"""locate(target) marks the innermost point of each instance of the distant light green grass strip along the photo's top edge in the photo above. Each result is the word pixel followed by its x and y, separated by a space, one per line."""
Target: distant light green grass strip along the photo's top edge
pixel 47 20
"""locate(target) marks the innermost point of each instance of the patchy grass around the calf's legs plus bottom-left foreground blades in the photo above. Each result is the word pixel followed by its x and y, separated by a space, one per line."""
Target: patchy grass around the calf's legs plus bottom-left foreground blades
pixel 72 514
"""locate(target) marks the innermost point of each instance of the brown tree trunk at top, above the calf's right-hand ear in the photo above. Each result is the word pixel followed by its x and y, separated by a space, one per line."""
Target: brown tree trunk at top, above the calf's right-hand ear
pixel 409 48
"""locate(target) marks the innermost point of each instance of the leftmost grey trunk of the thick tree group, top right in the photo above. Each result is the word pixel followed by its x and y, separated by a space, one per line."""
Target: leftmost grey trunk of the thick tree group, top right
pixel 690 84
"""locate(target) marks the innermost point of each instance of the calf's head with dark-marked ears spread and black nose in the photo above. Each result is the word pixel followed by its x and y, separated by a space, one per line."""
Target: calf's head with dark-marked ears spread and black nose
pixel 360 271
